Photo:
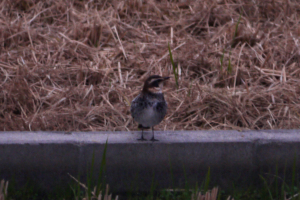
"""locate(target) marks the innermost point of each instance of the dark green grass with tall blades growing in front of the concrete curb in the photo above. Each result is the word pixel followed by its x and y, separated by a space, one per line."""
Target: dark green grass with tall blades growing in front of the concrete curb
pixel 270 187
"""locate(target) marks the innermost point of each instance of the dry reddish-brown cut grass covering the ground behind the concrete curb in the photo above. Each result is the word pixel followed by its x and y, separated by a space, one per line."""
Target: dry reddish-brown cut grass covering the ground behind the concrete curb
pixel 76 65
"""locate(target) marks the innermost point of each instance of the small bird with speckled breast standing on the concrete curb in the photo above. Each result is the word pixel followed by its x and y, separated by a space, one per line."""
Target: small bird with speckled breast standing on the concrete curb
pixel 149 107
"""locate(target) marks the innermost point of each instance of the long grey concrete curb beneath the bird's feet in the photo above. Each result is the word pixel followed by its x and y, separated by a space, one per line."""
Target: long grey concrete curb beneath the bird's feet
pixel 179 157
